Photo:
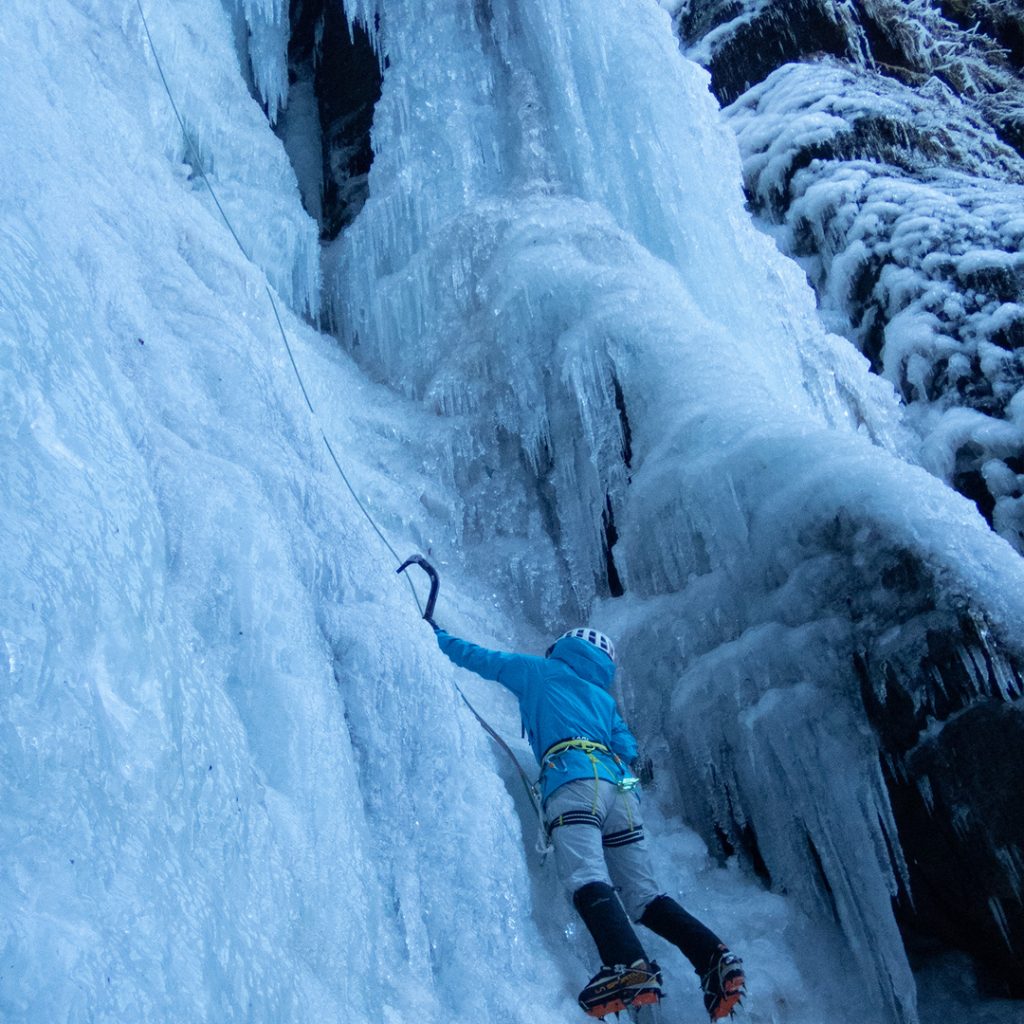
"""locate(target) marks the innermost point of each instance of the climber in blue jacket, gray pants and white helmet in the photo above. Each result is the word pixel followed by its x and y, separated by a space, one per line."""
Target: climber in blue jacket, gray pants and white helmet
pixel 592 815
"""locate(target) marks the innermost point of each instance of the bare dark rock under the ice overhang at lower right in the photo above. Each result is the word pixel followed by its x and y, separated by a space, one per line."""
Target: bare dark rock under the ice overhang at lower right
pixel 949 715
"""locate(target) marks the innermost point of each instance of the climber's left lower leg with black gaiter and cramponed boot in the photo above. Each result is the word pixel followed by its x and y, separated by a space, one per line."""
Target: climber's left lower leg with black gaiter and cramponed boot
pixel 627 978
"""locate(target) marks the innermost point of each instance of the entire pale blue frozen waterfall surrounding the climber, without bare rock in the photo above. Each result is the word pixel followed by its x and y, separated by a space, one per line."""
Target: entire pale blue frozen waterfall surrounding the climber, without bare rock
pixel 237 782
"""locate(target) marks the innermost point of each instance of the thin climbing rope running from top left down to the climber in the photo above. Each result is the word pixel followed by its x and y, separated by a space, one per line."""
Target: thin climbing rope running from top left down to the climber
pixel 198 163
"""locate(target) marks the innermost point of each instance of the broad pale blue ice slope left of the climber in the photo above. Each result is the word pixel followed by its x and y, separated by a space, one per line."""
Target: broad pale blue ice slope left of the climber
pixel 231 762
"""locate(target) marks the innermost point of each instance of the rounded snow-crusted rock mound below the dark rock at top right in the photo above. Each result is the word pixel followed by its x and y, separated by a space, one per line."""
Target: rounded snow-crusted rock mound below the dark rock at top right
pixel 910 222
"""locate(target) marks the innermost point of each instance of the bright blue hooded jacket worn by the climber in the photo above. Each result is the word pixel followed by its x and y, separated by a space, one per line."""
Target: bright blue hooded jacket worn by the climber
pixel 564 697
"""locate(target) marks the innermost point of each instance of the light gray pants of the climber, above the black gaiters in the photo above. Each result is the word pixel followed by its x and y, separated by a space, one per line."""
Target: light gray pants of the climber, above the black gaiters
pixel 598 832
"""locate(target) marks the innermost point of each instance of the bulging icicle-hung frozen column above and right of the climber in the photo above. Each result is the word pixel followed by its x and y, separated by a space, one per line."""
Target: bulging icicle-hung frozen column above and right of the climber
pixel 557 259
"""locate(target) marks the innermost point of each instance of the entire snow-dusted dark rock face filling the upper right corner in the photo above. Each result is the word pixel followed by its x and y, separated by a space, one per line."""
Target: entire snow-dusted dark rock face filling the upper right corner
pixel 885 142
